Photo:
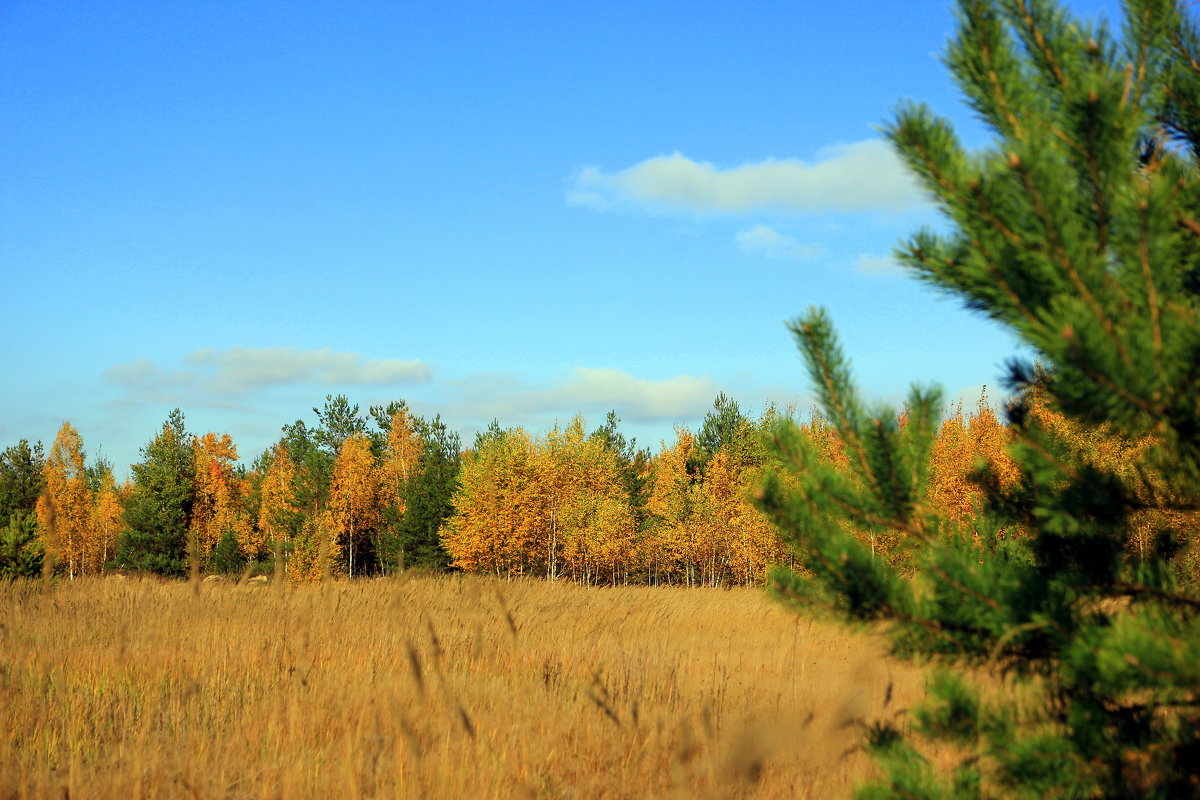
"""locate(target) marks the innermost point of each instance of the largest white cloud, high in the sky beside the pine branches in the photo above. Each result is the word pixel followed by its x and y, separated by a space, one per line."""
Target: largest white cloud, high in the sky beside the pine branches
pixel 860 177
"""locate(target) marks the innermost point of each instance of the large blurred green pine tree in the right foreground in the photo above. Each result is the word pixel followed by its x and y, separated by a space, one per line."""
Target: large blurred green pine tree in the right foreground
pixel 1078 230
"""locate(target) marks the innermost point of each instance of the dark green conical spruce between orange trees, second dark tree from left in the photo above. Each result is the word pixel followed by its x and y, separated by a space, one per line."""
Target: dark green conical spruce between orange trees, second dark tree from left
pixel 160 510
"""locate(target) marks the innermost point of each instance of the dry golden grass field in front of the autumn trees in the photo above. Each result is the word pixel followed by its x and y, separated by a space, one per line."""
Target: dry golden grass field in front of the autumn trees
pixel 429 688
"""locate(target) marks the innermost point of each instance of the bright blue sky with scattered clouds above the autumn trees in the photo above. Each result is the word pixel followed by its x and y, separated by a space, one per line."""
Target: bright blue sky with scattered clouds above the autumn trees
pixel 520 210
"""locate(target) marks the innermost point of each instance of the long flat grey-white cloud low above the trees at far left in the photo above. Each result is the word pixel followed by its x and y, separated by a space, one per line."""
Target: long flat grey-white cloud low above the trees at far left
pixel 224 378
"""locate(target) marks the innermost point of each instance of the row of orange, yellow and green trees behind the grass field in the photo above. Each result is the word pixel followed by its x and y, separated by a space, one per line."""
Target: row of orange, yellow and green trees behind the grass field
pixel 368 494
